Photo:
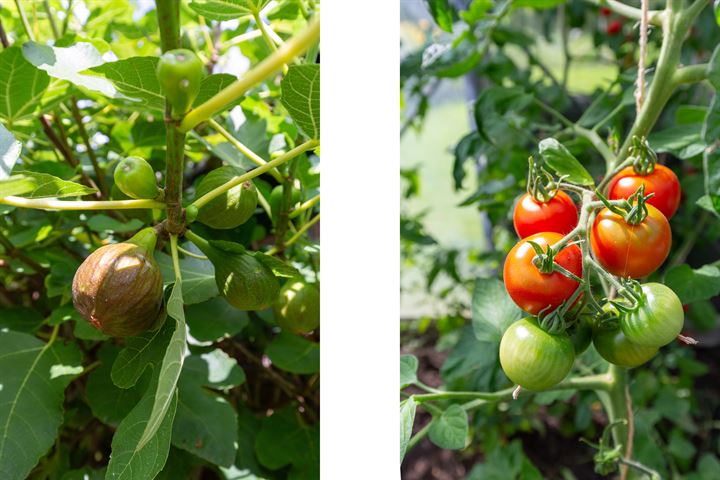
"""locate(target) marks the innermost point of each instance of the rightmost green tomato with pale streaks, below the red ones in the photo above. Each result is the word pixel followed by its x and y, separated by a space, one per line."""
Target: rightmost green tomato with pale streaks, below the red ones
pixel 657 321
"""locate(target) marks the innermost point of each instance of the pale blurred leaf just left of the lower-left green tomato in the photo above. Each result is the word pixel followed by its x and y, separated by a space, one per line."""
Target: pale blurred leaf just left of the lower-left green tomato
pixel 493 311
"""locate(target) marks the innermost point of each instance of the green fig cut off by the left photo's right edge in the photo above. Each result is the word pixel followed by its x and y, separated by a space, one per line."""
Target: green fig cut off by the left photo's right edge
pixel 297 308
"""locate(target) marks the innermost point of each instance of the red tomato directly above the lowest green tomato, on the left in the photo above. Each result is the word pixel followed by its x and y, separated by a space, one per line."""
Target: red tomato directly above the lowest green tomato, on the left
pixel 532 290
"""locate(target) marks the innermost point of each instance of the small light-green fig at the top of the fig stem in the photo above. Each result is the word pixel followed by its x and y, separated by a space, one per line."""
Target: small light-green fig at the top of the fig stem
pixel 180 73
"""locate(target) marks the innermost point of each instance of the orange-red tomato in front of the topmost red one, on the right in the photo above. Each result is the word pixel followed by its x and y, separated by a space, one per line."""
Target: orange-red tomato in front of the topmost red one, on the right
pixel 630 250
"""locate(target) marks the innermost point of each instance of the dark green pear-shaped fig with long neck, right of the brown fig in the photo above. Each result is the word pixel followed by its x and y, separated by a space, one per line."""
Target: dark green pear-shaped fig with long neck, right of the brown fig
pixel 244 281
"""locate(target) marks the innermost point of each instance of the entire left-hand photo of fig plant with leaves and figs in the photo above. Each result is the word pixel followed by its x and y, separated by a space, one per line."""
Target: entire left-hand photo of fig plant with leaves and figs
pixel 140 143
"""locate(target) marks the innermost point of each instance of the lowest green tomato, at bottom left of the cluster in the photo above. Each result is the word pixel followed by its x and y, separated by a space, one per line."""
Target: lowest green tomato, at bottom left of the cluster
pixel 533 358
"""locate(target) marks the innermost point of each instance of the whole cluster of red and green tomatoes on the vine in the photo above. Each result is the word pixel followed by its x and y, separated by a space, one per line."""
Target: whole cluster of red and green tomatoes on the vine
pixel 543 274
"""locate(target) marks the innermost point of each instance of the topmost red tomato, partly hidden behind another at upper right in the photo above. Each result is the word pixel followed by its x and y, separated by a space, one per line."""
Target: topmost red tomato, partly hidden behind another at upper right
pixel 662 182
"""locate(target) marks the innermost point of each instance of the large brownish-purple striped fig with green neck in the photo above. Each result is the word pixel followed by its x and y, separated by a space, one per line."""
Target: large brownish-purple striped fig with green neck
pixel 119 287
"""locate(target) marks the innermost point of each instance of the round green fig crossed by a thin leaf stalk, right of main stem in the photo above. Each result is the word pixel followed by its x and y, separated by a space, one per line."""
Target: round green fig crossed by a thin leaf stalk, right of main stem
pixel 231 209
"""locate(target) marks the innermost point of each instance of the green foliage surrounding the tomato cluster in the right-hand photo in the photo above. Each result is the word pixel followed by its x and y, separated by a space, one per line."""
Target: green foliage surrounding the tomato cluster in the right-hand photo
pixel 525 103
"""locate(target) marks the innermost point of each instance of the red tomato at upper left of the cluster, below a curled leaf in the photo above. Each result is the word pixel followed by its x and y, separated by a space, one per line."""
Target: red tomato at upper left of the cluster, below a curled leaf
pixel 558 215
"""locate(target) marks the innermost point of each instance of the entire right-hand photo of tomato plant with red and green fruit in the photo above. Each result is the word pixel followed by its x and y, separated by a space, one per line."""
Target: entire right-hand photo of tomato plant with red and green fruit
pixel 614 147
